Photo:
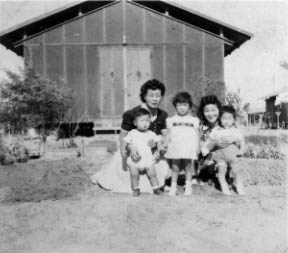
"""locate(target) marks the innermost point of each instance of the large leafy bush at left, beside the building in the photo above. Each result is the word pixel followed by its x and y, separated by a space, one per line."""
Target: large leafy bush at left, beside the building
pixel 29 100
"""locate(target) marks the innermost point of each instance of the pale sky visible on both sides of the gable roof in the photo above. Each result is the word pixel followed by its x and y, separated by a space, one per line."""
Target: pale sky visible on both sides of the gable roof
pixel 254 69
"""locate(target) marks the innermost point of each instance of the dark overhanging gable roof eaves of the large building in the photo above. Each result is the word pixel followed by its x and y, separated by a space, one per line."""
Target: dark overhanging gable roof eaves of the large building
pixel 43 22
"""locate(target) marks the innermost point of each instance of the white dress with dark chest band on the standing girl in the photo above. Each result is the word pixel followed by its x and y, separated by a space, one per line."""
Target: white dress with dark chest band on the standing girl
pixel 184 138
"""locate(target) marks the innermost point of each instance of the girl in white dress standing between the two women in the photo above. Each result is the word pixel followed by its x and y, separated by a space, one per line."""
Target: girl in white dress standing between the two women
pixel 182 141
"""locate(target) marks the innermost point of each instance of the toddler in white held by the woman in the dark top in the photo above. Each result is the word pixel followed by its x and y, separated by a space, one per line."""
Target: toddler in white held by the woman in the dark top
pixel 139 138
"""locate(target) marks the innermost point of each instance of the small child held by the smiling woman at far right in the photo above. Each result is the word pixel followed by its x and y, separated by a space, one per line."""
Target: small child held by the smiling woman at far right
pixel 226 156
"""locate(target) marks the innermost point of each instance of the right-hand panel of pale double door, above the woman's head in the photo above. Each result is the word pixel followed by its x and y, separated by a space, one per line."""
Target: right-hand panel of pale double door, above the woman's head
pixel 138 72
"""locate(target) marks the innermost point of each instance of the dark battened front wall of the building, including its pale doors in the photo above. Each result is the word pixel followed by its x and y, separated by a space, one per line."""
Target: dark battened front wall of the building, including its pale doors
pixel 94 54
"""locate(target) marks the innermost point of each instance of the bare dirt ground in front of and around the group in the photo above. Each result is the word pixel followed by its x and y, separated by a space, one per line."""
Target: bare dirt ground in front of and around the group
pixel 50 205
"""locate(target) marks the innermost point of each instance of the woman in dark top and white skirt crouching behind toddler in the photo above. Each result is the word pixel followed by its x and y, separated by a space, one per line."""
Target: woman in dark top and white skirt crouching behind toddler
pixel 114 175
